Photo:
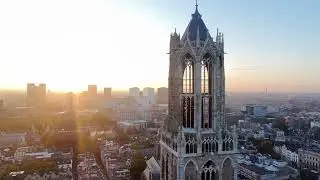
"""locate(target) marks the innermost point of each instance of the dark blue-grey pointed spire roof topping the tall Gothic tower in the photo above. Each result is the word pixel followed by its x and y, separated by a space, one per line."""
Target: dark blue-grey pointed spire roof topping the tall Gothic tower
pixel 196 27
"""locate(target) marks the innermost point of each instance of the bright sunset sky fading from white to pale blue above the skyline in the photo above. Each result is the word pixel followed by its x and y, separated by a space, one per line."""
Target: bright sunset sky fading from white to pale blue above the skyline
pixel 69 44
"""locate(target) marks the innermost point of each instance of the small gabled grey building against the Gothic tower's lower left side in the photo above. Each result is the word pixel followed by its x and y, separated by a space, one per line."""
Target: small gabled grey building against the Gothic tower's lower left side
pixel 152 171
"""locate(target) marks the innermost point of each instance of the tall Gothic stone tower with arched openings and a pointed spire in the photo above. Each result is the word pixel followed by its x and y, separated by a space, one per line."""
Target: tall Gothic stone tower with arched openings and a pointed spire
pixel 195 141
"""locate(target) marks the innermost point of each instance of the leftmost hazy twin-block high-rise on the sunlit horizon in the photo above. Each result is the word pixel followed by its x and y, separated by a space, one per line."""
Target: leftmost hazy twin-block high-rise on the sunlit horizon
pixel 36 95
